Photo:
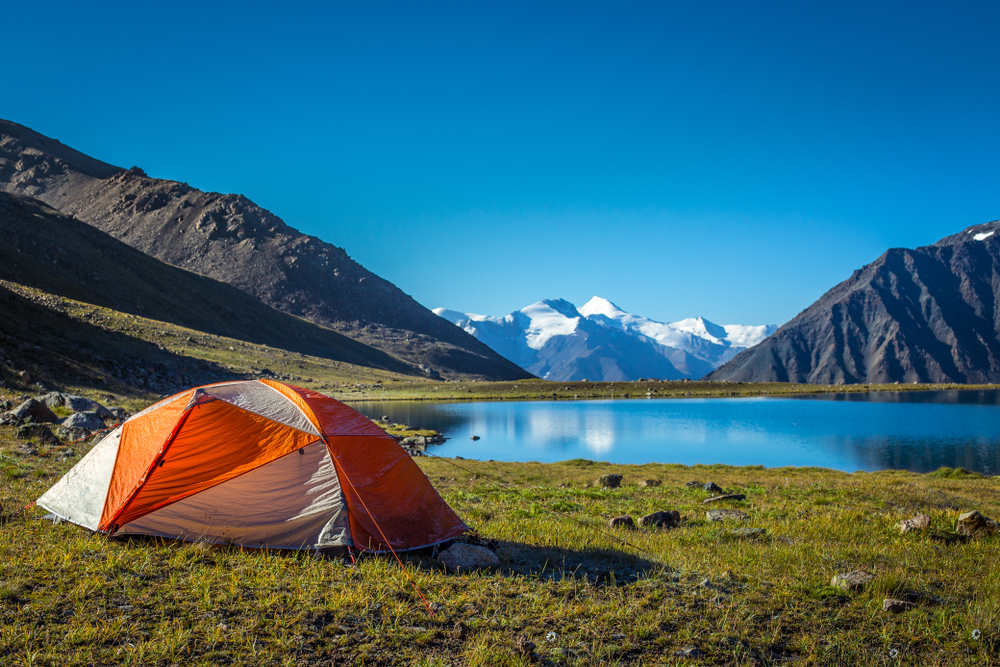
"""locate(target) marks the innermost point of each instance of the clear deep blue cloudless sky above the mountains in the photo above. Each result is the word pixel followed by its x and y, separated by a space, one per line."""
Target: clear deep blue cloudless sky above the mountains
pixel 730 160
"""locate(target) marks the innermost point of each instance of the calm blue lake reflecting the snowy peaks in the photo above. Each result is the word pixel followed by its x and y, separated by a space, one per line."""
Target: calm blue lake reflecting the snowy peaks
pixel 919 431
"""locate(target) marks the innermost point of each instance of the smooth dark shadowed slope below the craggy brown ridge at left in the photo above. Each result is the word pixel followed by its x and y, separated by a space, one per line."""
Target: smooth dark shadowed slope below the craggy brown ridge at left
pixel 56 254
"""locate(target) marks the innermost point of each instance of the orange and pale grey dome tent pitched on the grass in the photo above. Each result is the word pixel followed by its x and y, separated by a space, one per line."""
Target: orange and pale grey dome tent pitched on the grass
pixel 255 463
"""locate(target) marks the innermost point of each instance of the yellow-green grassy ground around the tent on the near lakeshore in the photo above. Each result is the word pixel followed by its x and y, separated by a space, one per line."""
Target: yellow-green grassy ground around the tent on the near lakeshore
pixel 67 598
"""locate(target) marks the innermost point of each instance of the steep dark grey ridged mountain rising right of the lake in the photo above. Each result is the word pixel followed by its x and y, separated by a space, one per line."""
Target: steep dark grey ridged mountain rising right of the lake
pixel 926 315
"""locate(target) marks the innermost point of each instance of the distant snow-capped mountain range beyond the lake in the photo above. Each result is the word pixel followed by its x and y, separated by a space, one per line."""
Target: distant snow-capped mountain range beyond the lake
pixel 557 341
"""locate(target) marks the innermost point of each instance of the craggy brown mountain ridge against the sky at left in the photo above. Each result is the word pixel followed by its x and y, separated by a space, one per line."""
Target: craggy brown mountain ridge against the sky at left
pixel 231 239
